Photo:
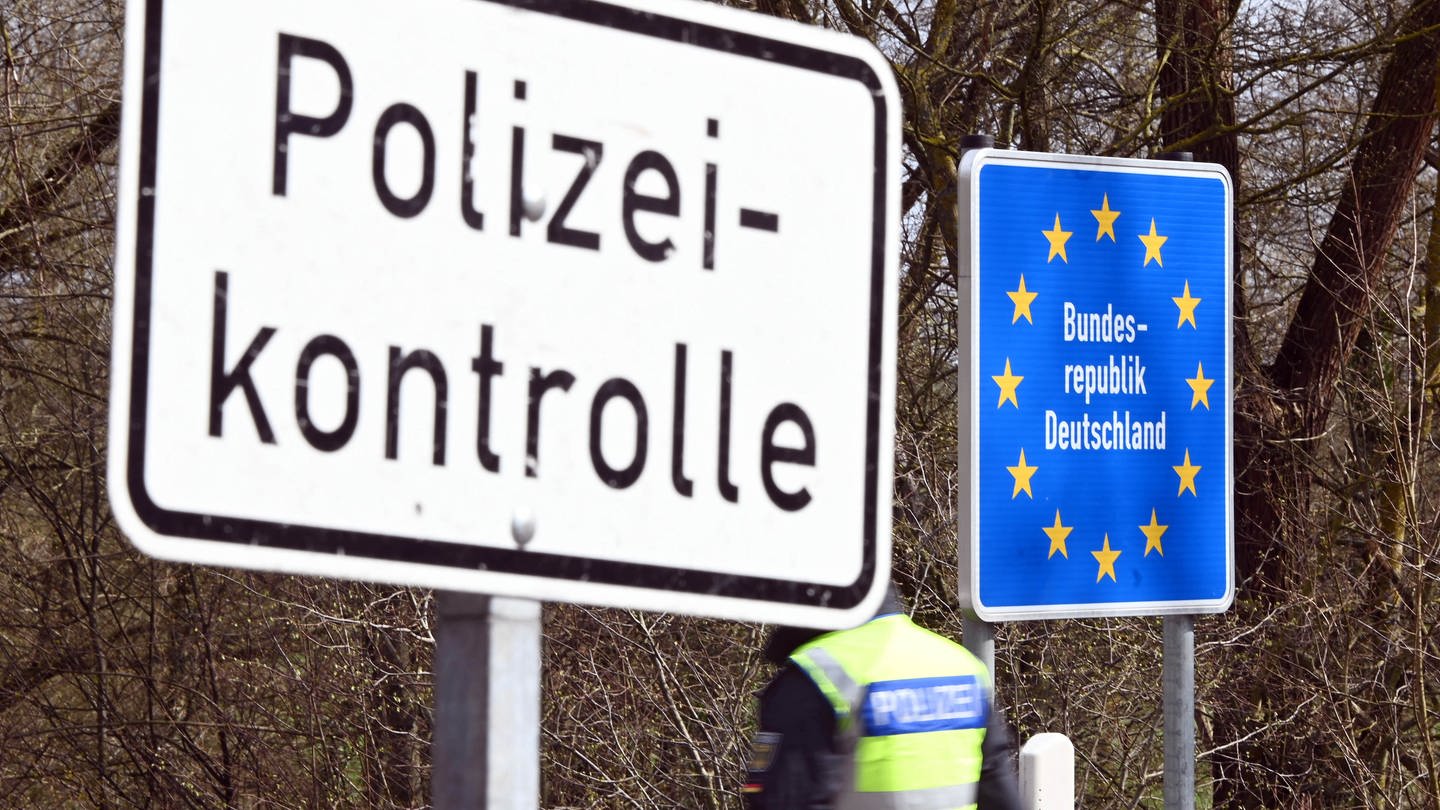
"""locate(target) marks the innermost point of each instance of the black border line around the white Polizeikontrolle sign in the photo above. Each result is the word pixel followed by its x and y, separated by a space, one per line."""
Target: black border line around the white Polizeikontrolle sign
pixel 244 531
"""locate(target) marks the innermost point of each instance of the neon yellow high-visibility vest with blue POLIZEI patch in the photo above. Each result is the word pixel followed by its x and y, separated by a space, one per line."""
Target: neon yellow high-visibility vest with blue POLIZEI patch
pixel 911 711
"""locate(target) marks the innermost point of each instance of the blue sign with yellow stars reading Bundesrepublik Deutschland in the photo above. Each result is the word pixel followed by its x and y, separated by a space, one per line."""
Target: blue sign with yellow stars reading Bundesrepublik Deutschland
pixel 1097 387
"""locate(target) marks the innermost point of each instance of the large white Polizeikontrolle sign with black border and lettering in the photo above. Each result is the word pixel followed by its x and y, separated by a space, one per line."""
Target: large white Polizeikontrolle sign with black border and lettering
pixel 551 299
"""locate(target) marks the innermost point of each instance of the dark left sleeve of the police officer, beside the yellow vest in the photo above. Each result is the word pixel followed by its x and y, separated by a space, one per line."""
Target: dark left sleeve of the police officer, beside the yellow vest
pixel 794 765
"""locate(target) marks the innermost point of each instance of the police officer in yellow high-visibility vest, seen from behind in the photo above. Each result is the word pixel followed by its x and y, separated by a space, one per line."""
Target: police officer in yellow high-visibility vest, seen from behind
pixel 882 717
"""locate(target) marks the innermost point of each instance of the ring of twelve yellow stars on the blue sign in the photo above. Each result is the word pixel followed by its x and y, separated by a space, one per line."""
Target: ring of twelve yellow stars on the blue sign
pixel 1009 383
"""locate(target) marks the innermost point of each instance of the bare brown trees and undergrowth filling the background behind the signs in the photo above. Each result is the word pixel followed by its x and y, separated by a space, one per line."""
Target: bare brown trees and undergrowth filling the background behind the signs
pixel 130 682
